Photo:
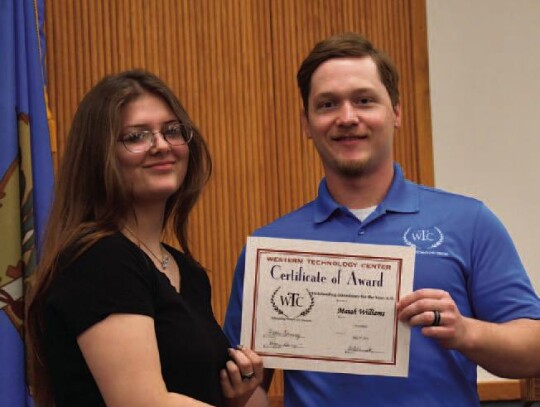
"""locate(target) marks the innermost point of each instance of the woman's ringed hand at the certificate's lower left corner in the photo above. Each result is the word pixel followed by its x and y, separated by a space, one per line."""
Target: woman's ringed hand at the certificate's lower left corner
pixel 241 377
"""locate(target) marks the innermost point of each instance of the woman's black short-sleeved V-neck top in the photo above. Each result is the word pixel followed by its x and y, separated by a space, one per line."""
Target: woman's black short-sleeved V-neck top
pixel 115 276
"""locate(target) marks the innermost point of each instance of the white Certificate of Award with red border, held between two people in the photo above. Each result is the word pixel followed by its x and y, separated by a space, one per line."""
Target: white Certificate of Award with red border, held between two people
pixel 327 306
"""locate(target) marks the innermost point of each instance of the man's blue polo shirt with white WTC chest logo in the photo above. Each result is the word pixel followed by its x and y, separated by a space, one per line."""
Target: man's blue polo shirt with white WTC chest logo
pixel 461 247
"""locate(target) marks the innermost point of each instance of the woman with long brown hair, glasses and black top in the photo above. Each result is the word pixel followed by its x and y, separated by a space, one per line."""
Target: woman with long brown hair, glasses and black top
pixel 118 318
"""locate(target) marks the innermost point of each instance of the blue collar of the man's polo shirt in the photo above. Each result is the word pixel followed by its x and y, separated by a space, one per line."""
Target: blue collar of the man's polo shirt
pixel 401 197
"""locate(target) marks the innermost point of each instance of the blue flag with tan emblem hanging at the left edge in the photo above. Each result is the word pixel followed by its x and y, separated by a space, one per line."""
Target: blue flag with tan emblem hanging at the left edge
pixel 26 179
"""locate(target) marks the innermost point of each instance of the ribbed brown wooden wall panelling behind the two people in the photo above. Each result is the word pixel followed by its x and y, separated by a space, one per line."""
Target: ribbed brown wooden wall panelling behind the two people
pixel 233 64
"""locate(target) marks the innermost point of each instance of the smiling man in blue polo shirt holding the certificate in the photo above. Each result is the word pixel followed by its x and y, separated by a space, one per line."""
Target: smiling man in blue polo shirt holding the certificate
pixel 472 301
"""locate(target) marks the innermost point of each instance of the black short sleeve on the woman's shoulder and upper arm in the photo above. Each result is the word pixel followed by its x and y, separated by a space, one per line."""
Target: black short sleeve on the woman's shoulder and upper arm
pixel 111 277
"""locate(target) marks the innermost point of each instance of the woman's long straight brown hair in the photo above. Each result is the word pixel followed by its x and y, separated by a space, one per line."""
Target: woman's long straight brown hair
pixel 91 200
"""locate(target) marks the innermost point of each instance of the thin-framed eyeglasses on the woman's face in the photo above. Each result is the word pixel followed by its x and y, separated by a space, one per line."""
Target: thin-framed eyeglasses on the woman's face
pixel 140 141
